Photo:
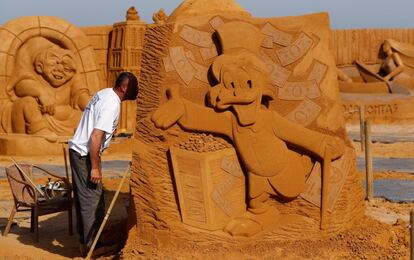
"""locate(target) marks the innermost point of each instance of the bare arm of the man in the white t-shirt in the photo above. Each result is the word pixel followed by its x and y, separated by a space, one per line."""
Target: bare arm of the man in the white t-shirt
pixel 95 143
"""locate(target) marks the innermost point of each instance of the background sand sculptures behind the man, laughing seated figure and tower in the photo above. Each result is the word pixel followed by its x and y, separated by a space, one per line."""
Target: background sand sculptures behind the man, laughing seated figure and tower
pixel 48 72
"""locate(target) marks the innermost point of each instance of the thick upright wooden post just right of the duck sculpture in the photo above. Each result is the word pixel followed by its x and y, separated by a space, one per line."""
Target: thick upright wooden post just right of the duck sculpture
pixel 368 162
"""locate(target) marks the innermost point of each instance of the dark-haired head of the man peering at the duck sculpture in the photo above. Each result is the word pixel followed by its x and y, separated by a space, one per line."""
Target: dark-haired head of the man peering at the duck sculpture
pixel 126 86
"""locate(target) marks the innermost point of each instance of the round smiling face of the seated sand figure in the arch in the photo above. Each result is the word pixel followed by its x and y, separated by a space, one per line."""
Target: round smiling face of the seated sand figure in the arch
pixel 55 65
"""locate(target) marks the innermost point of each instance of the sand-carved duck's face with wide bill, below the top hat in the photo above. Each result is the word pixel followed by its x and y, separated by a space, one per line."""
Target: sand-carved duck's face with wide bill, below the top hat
pixel 242 83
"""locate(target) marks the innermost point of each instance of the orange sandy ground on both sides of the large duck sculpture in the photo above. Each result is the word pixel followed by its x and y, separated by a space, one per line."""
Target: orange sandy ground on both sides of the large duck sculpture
pixel 382 234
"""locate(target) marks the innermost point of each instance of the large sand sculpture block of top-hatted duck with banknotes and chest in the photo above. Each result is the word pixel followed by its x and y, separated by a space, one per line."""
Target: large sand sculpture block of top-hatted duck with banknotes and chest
pixel 235 132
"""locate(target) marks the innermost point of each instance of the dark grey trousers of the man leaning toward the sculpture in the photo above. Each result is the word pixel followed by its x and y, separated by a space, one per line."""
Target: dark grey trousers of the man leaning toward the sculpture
pixel 90 198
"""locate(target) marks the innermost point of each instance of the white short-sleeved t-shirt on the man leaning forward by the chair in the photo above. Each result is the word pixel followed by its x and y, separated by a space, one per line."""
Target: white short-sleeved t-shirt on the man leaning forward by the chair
pixel 101 113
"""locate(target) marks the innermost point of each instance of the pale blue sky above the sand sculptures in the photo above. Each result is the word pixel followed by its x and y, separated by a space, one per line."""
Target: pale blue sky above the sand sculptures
pixel 343 13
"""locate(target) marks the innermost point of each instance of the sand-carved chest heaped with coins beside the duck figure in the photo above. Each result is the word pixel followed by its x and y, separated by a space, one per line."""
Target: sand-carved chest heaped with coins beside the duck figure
pixel 209 181
